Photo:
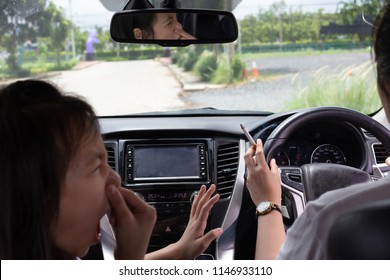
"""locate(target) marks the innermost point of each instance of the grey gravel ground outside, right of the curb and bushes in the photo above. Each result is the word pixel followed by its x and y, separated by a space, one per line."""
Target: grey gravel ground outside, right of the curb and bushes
pixel 287 75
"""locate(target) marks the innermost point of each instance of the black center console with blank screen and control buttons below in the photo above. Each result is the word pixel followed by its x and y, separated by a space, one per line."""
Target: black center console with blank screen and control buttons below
pixel 166 173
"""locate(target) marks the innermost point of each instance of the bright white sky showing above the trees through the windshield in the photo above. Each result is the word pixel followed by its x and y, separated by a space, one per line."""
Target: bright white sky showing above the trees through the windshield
pixel 97 15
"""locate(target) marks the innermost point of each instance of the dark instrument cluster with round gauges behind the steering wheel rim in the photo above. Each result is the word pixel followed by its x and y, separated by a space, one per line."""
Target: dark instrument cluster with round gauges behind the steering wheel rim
pixel 322 142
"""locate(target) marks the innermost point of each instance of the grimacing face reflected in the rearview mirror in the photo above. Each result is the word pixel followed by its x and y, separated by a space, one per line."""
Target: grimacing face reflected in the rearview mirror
pixel 161 26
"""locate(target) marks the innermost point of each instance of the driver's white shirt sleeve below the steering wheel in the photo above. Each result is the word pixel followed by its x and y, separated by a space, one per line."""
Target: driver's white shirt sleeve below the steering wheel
pixel 307 238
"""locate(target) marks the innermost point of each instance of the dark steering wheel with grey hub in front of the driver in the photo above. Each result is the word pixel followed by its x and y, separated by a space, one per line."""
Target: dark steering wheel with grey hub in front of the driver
pixel 311 180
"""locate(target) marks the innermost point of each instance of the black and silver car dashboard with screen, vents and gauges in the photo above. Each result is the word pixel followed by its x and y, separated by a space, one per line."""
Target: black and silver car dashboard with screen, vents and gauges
pixel 165 160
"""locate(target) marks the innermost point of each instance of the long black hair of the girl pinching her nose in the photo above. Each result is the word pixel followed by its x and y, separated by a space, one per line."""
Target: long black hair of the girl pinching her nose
pixel 41 130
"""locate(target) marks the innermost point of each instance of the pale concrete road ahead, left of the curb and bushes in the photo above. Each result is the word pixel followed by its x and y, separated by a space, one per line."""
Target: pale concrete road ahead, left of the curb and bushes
pixel 125 87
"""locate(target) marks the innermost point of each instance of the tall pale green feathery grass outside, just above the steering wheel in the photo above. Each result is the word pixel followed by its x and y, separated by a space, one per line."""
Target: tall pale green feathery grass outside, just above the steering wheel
pixel 353 87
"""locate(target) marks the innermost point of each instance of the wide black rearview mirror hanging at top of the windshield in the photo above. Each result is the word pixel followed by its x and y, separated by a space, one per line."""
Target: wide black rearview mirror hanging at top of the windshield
pixel 173 27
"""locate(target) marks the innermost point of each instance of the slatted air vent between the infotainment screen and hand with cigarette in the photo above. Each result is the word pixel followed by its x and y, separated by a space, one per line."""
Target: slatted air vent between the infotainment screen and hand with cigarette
pixel 227 166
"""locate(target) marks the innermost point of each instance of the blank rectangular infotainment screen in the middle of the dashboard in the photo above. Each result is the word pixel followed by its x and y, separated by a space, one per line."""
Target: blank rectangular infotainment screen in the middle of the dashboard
pixel 166 161
